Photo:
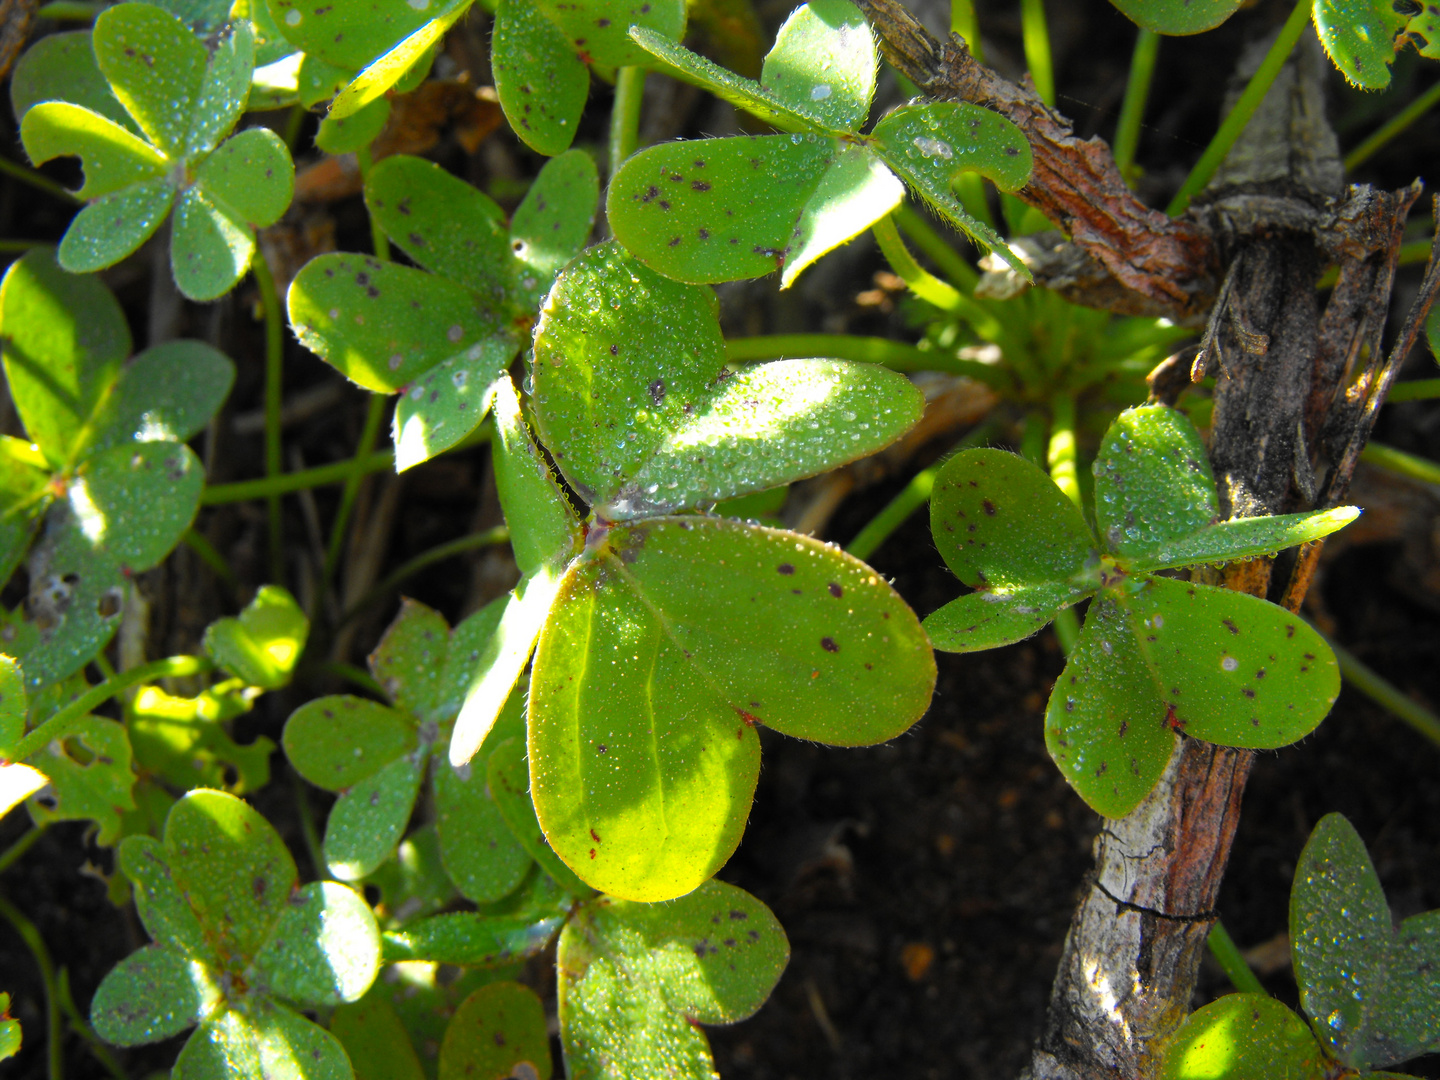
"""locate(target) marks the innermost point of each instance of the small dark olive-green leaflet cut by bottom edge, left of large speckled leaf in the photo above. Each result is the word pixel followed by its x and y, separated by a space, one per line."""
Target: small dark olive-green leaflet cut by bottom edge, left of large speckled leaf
pixel 498 1033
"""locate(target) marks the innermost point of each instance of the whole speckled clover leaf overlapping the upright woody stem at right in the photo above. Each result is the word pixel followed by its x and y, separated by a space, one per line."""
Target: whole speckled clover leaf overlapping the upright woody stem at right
pixel 1157 656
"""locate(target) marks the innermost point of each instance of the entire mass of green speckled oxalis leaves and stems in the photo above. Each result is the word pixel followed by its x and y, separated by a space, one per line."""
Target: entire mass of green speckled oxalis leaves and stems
pixel 559 778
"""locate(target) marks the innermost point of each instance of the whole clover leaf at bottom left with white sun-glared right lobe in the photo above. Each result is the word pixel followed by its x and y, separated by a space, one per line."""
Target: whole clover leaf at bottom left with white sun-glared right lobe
pixel 233 935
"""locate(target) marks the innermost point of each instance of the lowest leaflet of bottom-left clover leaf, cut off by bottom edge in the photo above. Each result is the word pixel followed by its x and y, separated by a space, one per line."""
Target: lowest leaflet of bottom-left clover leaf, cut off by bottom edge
pixel 261 1040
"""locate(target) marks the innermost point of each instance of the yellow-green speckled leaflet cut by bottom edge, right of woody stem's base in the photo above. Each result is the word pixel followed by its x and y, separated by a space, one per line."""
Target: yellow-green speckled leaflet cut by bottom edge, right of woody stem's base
pixel 1243 1038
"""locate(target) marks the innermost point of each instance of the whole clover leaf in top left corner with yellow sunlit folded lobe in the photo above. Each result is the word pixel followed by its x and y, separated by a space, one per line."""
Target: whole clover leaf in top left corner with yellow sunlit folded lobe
pixel 182 100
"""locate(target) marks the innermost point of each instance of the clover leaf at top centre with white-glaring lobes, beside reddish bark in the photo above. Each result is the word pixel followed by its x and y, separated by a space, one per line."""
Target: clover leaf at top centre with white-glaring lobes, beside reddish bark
pixel 741 208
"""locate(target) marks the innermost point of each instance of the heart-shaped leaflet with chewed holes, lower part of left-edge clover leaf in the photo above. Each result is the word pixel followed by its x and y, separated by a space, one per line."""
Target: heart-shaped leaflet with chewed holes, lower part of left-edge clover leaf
pixel 123 512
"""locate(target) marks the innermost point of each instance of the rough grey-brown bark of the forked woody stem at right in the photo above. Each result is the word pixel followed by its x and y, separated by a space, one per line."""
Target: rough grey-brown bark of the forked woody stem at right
pixel 1287 407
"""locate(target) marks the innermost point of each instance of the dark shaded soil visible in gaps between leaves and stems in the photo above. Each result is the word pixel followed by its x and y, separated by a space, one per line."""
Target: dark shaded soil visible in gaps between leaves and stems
pixel 927 886
